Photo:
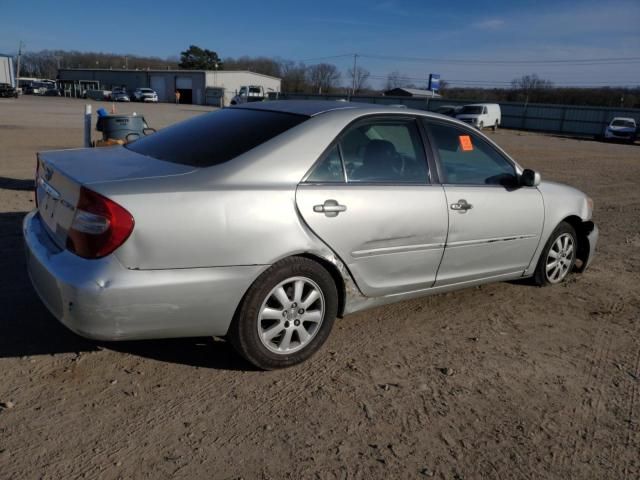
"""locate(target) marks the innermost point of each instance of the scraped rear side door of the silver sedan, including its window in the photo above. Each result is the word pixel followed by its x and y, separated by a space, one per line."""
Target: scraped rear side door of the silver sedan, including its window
pixel 369 197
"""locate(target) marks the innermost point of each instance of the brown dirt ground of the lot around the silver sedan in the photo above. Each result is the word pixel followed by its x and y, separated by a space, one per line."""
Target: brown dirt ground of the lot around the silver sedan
pixel 543 382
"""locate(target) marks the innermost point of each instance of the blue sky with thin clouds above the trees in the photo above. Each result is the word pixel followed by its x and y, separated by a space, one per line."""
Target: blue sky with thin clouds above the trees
pixel 466 42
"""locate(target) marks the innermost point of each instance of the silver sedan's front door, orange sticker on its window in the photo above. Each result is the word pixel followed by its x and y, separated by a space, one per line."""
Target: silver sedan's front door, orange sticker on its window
pixel 494 224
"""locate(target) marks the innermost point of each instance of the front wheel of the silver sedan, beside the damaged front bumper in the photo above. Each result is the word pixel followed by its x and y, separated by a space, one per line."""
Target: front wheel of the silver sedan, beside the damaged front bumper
pixel 560 250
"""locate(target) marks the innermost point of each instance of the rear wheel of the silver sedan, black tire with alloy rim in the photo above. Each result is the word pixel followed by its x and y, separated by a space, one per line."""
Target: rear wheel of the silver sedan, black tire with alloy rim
pixel 270 336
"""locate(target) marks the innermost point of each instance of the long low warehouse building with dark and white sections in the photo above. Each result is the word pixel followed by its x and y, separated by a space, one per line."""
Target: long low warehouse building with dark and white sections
pixel 199 87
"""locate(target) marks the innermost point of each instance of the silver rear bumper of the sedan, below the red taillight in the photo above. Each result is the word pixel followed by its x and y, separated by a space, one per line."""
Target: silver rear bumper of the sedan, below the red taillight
pixel 103 300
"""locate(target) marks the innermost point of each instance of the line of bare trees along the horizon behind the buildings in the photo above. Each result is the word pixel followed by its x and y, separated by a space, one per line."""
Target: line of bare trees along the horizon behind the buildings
pixel 325 78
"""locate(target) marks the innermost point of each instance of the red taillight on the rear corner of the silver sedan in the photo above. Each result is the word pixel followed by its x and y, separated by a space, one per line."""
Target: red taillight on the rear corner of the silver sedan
pixel 99 226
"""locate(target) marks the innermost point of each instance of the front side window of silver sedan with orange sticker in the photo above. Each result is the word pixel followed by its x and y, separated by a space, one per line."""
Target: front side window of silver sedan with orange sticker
pixel 467 159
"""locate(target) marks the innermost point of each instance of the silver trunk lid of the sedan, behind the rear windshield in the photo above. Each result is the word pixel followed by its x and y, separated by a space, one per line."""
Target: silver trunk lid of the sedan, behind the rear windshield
pixel 60 174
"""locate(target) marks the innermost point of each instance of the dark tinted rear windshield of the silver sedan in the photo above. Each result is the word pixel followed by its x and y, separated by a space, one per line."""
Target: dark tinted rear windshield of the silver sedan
pixel 216 137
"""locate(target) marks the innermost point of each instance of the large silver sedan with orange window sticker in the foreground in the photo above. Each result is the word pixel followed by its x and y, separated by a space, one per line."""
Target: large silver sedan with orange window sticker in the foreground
pixel 264 222
